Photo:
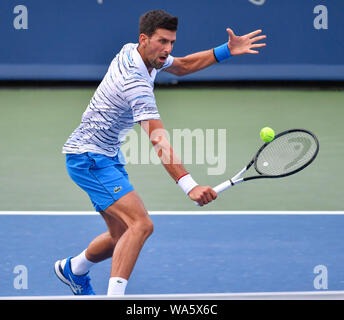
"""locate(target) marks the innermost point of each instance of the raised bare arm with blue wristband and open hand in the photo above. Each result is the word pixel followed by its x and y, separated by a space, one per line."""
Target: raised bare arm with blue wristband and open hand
pixel 236 45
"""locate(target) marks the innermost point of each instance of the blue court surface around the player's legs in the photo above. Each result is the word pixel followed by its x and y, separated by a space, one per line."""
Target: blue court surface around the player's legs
pixel 215 252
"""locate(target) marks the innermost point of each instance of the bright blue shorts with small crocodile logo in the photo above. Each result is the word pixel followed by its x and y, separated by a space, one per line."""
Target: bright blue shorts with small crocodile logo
pixel 103 178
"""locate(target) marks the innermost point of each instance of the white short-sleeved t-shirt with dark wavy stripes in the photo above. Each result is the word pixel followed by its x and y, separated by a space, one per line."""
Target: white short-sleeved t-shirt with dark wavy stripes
pixel 125 96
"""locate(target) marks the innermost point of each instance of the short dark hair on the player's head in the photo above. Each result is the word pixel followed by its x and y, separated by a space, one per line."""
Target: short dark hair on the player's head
pixel 157 19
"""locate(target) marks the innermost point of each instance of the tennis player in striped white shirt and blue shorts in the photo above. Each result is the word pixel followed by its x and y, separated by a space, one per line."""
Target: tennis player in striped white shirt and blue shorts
pixel 94 160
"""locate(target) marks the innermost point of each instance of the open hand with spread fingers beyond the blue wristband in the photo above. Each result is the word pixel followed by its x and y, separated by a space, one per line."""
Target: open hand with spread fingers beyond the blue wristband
pixel 244 44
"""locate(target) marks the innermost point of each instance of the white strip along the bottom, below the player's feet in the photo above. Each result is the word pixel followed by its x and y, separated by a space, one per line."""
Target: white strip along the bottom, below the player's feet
pixel 292 295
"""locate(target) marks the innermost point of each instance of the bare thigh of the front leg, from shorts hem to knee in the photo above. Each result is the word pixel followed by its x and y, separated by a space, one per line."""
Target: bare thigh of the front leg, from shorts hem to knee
pixel 131 211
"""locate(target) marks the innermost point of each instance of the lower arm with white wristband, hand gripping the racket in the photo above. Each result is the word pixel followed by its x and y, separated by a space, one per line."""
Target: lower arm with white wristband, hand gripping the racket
pixel 173 165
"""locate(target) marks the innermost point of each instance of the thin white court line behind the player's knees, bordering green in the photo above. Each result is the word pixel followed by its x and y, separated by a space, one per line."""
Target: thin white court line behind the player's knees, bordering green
pixel 92 213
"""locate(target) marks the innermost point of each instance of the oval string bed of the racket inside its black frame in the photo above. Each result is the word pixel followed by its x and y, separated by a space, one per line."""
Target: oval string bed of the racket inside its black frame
pixel 287 153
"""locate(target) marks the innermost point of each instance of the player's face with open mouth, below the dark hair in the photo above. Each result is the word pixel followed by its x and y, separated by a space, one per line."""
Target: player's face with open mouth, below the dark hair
pixel 158 47
